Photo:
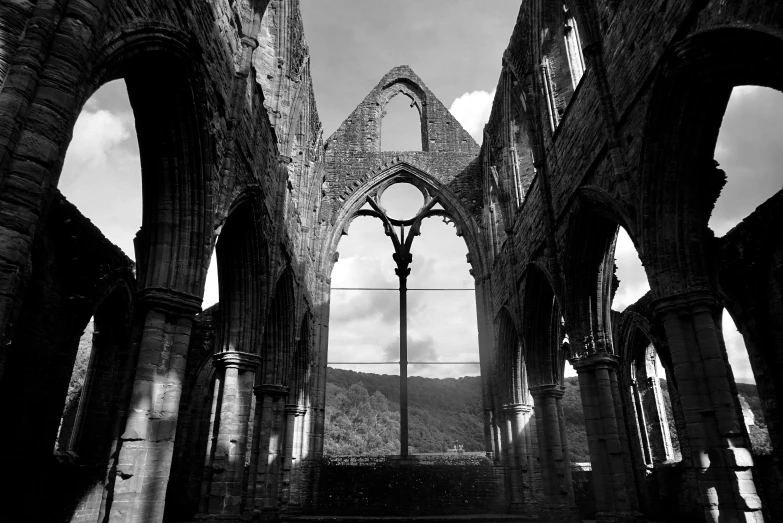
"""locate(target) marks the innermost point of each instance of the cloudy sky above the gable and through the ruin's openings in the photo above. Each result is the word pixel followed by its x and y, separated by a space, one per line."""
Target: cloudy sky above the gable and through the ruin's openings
pixel 455 46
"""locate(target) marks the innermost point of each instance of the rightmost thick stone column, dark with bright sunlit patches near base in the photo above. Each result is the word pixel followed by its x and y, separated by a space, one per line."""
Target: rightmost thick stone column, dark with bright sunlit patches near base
pixel 719 443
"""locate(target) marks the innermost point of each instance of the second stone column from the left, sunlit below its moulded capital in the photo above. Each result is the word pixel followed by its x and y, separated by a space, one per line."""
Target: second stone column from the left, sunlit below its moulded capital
pixel 230 437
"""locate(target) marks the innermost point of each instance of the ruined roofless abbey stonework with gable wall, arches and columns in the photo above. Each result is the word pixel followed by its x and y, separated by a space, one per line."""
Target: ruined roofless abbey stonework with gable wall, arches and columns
pixel 606 115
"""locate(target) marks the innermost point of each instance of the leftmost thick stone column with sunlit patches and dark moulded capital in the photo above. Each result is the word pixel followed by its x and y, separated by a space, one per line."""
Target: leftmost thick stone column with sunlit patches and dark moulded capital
pixel 146 445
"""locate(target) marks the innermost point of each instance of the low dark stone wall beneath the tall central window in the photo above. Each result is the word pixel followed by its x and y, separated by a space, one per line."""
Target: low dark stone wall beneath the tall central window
pixel 420 485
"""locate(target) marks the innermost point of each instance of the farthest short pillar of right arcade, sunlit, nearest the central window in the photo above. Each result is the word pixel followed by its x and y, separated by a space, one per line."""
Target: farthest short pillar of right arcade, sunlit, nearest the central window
pixel 519 453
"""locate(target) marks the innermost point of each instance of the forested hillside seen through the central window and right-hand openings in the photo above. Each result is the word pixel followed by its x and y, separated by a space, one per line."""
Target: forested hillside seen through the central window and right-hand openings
pixel 362 414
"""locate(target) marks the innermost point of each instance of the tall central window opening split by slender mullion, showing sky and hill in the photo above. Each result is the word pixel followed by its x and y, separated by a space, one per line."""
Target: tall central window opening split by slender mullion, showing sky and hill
pixel 364 322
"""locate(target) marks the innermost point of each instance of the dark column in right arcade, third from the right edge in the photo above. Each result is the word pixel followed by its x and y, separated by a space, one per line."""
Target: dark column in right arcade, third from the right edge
pixel 557 483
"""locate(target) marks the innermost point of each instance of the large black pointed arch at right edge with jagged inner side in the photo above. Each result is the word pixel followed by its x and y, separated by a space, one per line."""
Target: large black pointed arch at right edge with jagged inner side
pixel 679 178
